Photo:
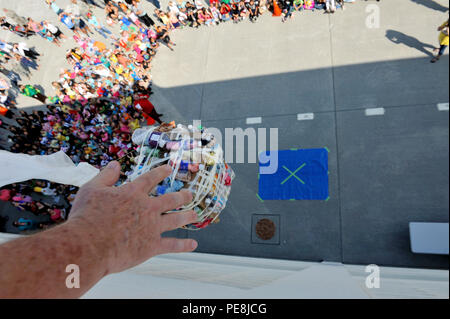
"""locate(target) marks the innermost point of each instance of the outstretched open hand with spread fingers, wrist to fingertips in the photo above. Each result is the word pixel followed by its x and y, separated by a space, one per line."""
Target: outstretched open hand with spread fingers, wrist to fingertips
pixel 124 224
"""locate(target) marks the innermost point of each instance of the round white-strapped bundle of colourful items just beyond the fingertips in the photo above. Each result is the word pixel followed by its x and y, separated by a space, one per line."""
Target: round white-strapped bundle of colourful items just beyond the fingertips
pixel 197 164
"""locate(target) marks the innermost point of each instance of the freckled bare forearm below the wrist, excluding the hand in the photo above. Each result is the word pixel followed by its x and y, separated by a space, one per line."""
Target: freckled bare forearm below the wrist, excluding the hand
pixel 35 266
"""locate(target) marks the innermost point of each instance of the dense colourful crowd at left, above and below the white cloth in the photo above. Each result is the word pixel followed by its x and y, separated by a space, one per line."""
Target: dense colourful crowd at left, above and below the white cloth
pixel 99 100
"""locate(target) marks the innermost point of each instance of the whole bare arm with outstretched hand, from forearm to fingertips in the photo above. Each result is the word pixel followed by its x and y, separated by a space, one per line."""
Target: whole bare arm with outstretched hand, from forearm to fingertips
pixel 110 229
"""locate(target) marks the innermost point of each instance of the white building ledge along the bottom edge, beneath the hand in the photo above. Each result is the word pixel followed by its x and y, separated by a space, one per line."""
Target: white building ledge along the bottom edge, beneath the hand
pixel 198 275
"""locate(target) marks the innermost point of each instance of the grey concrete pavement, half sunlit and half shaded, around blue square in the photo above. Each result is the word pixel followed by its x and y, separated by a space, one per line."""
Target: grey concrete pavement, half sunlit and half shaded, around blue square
pixel 386 170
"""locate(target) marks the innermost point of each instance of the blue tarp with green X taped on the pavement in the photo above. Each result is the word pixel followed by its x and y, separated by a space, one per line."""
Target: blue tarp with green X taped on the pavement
pixel 301 174
